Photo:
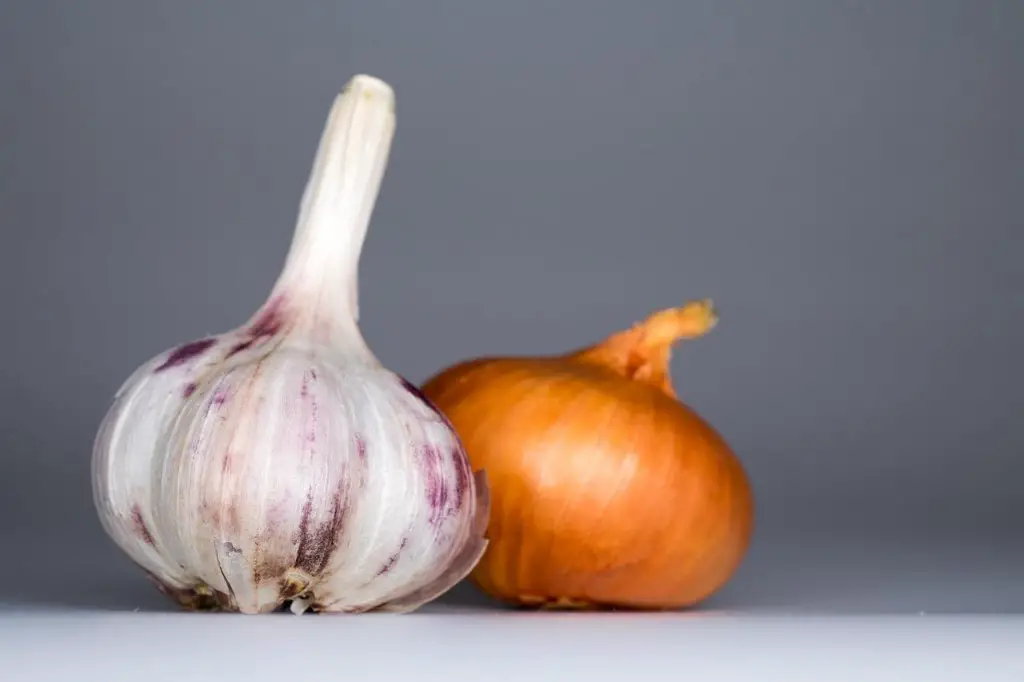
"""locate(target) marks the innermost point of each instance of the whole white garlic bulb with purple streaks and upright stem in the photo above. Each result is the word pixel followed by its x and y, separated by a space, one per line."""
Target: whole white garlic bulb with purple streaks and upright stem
pixel 280 463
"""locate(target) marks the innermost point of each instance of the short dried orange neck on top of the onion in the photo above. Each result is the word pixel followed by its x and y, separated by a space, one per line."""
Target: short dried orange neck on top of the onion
pixel 644 352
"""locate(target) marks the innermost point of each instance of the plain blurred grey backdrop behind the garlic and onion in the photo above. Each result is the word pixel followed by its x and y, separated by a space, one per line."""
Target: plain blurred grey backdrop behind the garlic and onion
pixel 839 177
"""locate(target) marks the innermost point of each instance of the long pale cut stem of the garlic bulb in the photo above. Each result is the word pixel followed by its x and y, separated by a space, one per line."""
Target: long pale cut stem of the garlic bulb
pixel 318 290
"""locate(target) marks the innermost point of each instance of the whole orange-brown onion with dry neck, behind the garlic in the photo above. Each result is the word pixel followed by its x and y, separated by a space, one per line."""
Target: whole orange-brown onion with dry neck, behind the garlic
pixel 607 490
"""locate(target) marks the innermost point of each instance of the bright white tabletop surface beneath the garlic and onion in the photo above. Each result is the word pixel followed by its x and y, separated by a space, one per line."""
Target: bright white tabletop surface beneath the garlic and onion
pixel 495 647
